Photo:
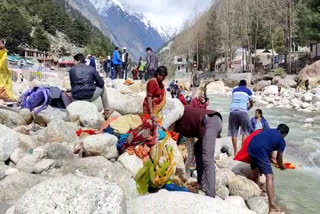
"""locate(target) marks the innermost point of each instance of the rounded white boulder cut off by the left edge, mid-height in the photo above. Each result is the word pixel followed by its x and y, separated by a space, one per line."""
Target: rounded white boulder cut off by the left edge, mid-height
pixel 9 141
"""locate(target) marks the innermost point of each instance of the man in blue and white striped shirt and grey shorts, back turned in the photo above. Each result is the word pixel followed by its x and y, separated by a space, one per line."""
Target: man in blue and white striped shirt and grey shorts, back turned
pixel 241 102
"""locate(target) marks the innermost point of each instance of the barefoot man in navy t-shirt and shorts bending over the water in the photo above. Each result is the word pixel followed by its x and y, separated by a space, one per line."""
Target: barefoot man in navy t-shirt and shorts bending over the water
pixel 260 150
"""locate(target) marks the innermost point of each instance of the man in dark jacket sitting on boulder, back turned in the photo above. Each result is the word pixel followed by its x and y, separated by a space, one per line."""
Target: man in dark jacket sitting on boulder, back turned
pixel 87 85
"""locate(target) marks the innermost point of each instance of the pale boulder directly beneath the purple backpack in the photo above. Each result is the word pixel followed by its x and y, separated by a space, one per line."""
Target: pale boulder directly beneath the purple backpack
pixel 49 114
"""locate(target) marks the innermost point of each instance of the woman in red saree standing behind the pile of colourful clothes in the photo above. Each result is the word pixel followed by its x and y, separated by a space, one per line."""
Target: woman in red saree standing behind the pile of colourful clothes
pixel 156 93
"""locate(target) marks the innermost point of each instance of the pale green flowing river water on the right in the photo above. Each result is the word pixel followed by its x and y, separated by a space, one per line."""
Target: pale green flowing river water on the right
pixel 298 191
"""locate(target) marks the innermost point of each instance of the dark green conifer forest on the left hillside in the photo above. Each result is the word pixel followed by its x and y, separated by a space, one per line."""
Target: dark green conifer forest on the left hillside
pixel 29 22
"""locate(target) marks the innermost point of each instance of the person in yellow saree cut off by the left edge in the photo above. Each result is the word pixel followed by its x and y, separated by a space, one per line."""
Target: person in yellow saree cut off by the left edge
pixel 5 75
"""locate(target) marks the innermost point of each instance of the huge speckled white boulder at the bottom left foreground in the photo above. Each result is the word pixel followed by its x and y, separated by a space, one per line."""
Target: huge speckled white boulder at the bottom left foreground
pixel 72 194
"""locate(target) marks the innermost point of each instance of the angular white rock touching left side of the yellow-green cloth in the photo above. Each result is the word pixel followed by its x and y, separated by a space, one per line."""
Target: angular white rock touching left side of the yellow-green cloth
pixel 131 162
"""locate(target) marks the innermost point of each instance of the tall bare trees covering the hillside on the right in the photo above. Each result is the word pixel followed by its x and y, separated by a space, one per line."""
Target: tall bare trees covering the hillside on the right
pixel 279 25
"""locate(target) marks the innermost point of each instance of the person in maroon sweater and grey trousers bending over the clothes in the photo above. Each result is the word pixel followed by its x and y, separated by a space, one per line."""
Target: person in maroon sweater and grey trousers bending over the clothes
pixel 206 125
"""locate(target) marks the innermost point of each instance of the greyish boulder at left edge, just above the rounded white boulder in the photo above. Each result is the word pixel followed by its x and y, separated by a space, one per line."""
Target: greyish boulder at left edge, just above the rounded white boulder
pixel 11 118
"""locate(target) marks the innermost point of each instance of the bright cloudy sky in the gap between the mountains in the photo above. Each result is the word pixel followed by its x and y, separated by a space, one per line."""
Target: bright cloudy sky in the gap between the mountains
pixel 169 13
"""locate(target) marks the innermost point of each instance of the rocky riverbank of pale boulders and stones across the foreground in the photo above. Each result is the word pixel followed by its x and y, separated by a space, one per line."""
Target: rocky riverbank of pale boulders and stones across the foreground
pixel 39 173
